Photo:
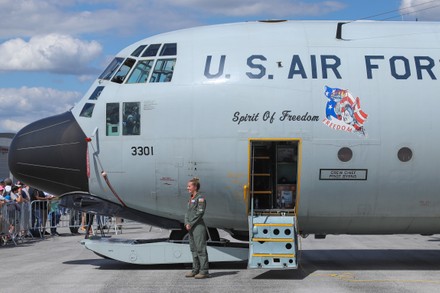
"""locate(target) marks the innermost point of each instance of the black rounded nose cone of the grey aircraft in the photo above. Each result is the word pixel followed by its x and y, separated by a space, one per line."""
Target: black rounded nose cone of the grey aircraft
pixel 51 155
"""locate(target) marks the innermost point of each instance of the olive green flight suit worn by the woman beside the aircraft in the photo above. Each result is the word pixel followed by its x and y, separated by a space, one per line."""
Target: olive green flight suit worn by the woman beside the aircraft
pixel 197 234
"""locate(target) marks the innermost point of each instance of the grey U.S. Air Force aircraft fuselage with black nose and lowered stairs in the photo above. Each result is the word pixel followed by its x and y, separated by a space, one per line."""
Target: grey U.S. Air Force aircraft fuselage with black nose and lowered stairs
pixel 293 127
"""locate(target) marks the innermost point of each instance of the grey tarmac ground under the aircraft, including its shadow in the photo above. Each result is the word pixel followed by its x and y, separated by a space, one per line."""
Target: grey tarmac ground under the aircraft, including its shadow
pixel 339 263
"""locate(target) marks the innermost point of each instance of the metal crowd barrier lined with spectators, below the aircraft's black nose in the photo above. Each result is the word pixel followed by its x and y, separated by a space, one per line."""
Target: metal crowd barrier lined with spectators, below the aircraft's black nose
pixel 41 218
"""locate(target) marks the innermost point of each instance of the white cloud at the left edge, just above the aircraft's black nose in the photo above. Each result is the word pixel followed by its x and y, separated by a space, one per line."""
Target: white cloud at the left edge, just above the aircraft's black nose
pixel 24 105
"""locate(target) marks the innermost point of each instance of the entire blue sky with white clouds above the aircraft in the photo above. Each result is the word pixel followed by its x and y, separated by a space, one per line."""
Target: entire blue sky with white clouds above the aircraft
pixel 51 51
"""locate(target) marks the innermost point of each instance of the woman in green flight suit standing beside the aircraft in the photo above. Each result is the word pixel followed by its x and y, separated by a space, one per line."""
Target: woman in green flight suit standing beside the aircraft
pixel 196 228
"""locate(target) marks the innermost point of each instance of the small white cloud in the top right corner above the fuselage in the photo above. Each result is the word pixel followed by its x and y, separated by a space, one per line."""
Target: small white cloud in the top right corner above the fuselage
pixel 423 10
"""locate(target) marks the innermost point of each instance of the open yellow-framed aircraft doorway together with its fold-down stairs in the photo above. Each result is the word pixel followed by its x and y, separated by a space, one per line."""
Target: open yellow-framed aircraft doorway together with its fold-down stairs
pixel 273 196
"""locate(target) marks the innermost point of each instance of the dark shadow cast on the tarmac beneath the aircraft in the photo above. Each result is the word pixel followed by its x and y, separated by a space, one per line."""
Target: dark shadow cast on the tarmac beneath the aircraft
pixel 310 262
